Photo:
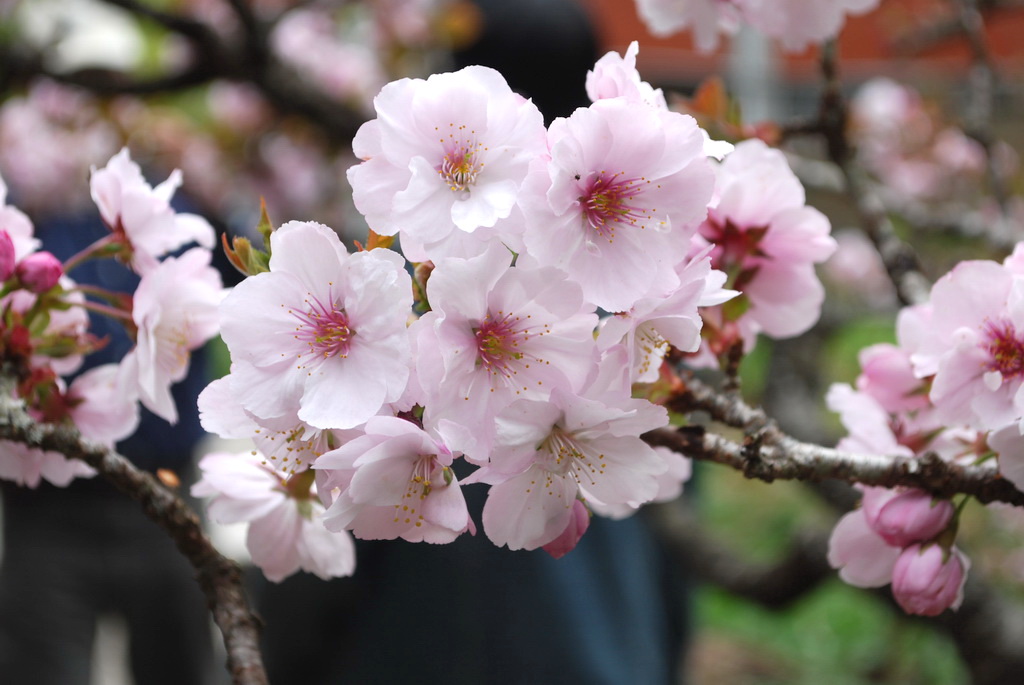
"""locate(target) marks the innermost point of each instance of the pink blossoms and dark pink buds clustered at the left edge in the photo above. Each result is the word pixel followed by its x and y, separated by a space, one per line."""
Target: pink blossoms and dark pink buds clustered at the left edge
pixel 45 330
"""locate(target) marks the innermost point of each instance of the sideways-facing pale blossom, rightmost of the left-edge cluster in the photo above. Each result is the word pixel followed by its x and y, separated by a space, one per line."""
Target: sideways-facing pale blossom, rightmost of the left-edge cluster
pixel 176 310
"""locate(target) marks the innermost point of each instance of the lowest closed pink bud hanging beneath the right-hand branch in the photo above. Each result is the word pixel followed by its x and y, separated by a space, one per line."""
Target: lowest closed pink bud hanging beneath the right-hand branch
pixel 927 581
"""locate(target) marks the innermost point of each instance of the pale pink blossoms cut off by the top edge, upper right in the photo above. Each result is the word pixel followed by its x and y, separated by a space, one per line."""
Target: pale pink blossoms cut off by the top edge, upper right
pixel 796 24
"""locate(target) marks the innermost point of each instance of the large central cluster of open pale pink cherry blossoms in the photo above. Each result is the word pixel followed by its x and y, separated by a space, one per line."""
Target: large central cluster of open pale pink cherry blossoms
pixel 519 237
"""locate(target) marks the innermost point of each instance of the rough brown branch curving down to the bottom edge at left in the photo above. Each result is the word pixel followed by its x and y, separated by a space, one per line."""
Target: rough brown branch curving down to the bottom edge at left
pixel 220 578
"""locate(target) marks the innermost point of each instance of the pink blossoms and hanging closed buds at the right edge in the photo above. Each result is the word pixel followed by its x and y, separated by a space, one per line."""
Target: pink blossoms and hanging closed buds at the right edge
pixel 953 387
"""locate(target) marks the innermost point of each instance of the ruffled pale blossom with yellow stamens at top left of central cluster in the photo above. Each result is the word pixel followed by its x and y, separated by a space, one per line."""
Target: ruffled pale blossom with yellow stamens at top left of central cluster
pixel 445 155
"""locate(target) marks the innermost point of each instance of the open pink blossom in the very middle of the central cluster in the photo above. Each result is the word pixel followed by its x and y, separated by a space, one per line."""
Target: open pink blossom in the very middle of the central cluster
pixel 497 334
